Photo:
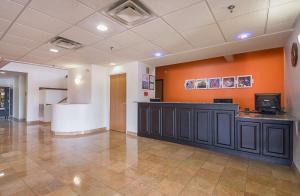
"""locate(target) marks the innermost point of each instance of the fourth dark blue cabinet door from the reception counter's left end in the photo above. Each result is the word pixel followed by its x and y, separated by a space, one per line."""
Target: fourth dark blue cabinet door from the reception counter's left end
pixel 184 123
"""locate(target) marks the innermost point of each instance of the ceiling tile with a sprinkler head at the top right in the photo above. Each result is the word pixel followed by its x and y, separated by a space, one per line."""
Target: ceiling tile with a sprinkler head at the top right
pixel 221 12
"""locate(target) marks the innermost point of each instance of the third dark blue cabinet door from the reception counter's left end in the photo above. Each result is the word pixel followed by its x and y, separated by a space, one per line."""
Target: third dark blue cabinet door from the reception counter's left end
pixel 168 122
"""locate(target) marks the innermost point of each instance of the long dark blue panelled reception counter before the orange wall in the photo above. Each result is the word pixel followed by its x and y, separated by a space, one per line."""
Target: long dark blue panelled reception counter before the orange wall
pixel 218 127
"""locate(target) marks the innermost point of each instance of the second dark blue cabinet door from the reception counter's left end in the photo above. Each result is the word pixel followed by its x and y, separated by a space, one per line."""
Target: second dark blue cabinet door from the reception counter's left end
pixel 155 120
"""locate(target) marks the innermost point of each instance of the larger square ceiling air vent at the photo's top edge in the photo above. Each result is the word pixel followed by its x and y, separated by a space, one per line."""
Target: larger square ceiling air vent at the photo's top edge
pixel 129 12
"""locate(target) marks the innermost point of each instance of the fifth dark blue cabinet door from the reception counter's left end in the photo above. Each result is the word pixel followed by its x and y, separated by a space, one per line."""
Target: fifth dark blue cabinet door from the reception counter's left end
pixel 202 126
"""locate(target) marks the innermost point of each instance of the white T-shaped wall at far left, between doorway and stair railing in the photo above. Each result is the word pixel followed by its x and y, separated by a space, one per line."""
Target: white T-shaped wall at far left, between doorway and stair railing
pixel 37 76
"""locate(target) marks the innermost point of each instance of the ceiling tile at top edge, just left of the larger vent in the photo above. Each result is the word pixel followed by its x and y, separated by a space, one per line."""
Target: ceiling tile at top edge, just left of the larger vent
pixel 70 11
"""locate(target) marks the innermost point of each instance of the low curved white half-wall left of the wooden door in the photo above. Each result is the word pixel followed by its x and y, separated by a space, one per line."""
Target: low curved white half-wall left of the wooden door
pixel 72 119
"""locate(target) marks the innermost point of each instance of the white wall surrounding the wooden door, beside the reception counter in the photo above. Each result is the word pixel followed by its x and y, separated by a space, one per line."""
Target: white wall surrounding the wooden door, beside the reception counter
pixel 134 92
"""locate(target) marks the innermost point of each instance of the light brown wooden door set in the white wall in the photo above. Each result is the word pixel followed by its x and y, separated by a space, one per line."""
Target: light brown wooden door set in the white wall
pixel 118 102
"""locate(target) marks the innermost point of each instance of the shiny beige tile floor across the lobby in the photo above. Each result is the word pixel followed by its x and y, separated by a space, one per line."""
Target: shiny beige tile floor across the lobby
pixel 33 162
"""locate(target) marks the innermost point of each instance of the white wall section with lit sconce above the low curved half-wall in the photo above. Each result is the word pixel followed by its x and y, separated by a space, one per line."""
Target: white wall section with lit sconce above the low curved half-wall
pixel 79 92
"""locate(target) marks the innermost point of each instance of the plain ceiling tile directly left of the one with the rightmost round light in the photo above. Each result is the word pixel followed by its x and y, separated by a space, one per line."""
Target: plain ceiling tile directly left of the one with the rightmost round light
pixel 204 36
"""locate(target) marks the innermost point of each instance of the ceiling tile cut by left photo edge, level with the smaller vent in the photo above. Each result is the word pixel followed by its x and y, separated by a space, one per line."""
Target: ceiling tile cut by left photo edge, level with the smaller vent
pixel 12 50
